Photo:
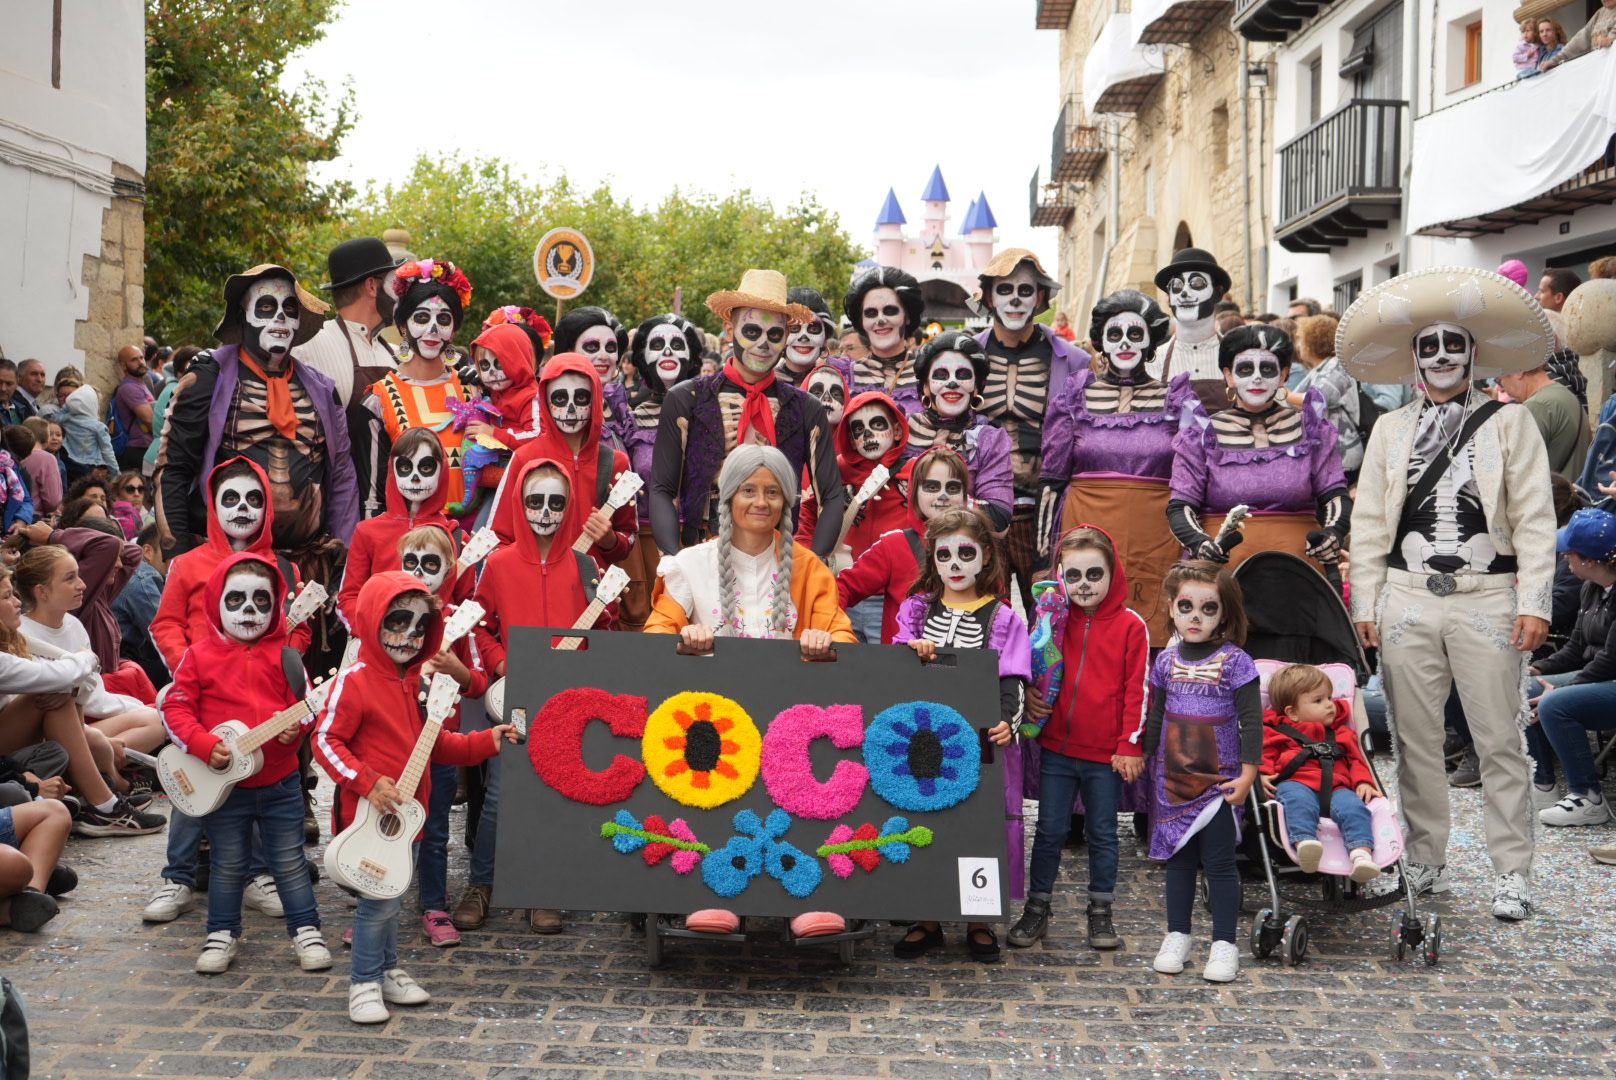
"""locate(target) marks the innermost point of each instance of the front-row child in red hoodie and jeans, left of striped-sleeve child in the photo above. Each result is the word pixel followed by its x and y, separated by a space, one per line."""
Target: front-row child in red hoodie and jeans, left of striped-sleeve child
pixel 242 672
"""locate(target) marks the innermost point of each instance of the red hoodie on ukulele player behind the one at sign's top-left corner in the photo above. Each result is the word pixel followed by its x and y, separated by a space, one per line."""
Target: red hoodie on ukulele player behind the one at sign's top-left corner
pixel 583 468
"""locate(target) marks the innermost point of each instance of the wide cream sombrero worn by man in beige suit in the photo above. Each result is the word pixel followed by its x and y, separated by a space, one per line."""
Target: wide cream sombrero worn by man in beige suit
pixel 1376 339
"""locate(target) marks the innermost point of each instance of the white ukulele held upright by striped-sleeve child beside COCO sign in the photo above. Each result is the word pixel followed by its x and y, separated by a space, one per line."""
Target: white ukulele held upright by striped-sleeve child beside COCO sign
pixel 376 854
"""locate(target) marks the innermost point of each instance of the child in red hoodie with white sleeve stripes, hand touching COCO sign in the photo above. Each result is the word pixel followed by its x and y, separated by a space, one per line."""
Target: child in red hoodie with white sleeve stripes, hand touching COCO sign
pixel 364 740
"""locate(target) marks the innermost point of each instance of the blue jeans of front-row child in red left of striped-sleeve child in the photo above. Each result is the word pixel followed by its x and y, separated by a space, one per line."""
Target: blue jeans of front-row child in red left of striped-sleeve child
pixel 277 811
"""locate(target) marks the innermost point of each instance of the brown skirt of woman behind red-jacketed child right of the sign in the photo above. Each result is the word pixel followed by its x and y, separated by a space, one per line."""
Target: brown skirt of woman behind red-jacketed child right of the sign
pixel 1135 515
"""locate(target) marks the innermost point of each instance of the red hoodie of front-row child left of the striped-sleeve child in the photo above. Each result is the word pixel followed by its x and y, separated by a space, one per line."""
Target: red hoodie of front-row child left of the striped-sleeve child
pixel 222 678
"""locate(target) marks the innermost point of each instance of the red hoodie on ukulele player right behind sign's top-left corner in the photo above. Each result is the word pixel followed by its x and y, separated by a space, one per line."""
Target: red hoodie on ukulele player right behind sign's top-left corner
pixel 524 588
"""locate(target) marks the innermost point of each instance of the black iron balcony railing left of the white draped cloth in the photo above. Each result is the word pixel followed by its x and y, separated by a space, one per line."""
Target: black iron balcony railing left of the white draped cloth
pixel 1342 177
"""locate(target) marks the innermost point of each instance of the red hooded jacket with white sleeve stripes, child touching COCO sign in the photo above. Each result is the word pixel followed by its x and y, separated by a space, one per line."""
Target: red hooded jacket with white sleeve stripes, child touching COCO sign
pixel 372 717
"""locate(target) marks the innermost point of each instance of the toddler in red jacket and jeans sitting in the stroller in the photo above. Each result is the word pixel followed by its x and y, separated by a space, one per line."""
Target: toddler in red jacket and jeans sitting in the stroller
pixel 1302 715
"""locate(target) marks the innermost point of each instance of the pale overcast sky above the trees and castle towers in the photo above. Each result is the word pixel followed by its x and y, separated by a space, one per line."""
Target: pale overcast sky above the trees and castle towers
pixel 840 98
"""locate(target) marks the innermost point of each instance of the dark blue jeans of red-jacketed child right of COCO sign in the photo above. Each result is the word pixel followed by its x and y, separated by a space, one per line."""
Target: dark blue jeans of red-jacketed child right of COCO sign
pixel 1061 780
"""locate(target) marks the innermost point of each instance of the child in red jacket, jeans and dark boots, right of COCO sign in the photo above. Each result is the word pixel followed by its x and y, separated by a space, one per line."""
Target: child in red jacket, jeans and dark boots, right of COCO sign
pixel 1093 730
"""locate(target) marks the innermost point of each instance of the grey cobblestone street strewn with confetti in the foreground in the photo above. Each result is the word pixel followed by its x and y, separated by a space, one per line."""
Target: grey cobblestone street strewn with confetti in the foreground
pixel 112 997
